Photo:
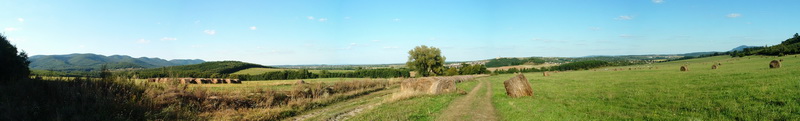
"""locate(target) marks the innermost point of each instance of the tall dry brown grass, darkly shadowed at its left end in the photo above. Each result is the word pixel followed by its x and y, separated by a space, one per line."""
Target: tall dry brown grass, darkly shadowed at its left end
pixel 126 99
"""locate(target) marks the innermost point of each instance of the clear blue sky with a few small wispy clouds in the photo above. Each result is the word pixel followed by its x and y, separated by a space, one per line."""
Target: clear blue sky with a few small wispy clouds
pixel 289 32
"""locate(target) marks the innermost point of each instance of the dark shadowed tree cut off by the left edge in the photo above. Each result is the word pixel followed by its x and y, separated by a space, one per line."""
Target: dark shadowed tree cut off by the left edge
pixel 13 64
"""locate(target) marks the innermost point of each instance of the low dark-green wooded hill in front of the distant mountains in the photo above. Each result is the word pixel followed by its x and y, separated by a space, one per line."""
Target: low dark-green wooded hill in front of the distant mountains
pixel 200 70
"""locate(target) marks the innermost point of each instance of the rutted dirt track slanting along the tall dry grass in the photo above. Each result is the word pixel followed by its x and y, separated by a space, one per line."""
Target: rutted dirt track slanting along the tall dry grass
pixel 344 110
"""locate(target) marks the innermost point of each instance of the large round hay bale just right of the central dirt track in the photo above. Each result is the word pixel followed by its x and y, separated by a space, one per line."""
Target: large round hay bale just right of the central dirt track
pixel 518 86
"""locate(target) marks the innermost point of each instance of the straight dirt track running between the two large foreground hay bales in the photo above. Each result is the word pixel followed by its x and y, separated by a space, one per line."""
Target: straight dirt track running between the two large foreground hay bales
pixel 476 106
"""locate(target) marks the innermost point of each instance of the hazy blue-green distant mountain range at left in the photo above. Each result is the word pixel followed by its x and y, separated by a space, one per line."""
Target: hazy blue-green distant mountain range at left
pixel 89 62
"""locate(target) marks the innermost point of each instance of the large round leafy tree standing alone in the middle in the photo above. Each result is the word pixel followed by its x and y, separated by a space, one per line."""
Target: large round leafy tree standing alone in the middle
pixel 427 61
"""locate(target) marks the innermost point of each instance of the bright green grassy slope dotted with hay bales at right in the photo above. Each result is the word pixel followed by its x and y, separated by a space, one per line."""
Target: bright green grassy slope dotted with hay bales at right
pixel 742 88
